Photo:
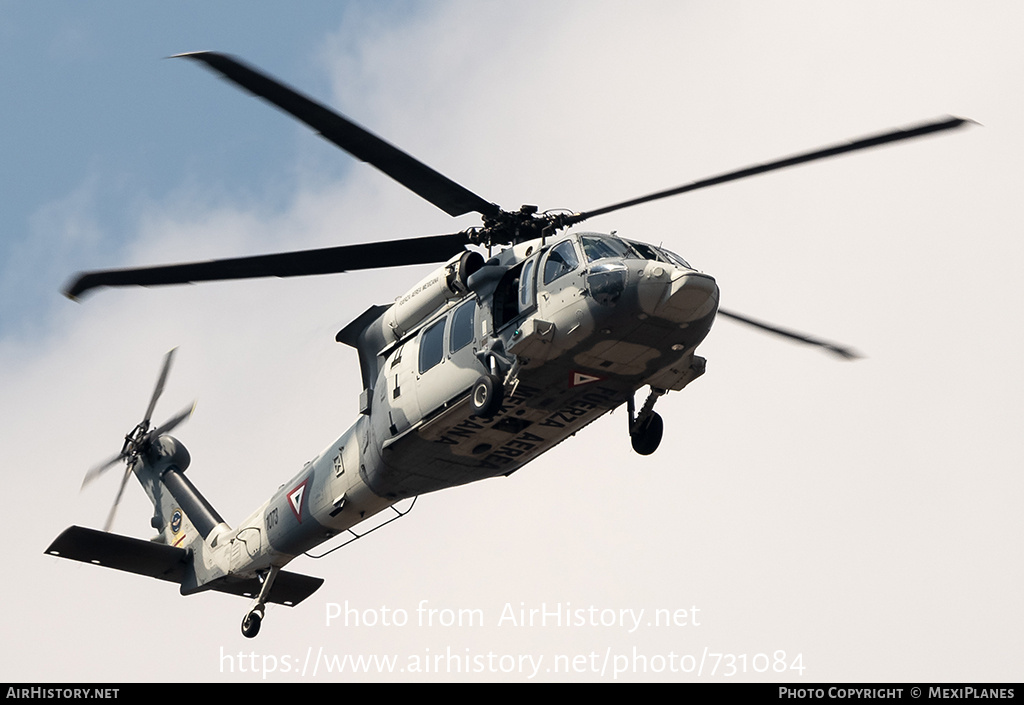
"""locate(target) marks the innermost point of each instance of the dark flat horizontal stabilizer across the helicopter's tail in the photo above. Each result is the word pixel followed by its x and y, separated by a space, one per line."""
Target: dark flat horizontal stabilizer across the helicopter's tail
pixel 168 563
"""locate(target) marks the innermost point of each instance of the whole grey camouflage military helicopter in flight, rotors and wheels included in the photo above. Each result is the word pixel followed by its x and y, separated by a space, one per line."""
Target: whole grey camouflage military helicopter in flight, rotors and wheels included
pixel 527 331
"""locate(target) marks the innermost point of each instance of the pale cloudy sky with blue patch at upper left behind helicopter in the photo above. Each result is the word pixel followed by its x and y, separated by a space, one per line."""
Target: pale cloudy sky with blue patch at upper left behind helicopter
pixel 804 521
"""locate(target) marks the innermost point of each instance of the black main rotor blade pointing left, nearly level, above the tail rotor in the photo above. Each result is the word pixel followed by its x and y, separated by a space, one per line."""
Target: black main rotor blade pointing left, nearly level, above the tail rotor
pixel 426 251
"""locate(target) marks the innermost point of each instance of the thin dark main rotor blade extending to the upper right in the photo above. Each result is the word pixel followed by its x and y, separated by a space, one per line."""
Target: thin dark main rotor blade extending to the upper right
pixel 865 144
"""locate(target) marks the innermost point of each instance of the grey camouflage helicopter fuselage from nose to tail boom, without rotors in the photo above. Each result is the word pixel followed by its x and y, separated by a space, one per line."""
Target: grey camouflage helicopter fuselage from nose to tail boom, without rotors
pixel 575 326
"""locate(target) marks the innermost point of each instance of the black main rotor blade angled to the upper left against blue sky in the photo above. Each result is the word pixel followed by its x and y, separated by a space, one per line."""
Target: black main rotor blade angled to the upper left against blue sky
pixel 418 178
